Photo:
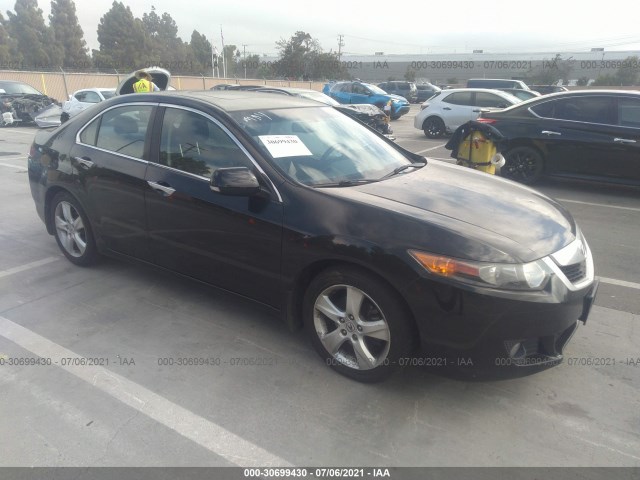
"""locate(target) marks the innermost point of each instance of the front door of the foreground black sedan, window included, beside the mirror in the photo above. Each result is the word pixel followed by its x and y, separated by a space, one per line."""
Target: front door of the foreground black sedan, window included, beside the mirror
pixel 230 241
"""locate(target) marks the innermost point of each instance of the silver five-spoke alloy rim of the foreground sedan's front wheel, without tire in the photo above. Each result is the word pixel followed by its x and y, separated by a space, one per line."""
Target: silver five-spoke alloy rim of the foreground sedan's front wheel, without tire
pixel 351 327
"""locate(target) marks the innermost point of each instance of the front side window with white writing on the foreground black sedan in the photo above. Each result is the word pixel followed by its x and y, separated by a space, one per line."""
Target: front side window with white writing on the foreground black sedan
pixel 194 144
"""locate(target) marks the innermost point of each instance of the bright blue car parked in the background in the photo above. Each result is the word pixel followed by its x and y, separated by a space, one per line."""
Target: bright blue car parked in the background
pixel 359 92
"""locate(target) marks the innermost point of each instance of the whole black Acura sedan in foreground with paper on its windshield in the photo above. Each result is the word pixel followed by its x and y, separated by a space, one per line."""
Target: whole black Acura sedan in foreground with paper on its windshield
pixel 375 250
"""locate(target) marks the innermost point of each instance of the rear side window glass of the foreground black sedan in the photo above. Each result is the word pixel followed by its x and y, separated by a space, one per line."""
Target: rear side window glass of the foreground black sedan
pixel 121 130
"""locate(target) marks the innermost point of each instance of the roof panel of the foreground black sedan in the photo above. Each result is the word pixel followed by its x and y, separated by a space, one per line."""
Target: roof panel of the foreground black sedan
pixel 227 100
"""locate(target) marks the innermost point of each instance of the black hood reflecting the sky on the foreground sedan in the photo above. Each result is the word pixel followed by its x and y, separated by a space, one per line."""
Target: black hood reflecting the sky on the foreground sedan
pixel 487 218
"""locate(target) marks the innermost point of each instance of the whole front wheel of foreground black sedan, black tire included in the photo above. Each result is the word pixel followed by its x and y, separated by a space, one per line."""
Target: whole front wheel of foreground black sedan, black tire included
pixel 357 324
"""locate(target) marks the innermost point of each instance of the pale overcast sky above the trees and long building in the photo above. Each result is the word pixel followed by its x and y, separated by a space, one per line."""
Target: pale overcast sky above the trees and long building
pixel 403 27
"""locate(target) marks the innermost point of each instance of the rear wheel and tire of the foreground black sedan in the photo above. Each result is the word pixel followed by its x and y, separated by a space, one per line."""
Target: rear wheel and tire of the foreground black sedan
pixel 72 230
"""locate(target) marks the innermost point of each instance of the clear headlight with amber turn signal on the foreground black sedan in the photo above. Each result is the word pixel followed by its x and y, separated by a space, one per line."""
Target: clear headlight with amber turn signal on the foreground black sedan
pixel 506 276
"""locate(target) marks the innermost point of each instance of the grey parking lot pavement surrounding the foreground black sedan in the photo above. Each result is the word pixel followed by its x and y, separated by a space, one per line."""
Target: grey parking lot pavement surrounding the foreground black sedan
pixel 114 394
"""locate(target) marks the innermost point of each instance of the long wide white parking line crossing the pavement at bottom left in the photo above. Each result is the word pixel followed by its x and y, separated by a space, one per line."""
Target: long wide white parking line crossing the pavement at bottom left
pixel 209 435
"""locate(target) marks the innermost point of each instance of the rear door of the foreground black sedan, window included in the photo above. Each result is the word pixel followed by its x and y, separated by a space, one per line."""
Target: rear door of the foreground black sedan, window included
pixel 110 161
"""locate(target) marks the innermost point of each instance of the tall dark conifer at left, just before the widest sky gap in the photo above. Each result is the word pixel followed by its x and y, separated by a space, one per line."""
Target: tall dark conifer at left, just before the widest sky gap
pixel 67 34
